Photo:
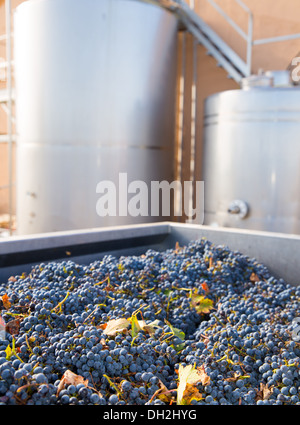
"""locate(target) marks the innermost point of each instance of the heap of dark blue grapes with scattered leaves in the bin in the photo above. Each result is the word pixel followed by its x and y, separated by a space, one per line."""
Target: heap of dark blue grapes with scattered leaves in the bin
pixel 197 325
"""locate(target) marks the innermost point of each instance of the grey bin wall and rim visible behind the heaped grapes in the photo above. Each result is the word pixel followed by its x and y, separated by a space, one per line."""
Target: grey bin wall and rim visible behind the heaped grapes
pixel 277 251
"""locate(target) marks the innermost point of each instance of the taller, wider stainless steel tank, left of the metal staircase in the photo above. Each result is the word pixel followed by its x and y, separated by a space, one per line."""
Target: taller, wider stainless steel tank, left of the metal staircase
pixel 95 91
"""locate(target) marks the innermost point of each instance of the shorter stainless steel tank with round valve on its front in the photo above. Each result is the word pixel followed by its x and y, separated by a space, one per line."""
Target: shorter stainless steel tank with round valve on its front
pixel 251 158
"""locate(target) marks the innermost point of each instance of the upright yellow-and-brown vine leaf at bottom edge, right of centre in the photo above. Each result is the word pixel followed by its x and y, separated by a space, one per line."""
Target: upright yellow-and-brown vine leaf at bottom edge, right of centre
pixel 189 376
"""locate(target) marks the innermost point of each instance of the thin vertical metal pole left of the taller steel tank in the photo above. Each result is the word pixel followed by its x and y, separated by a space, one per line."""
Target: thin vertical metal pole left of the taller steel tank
pixel 9 106
